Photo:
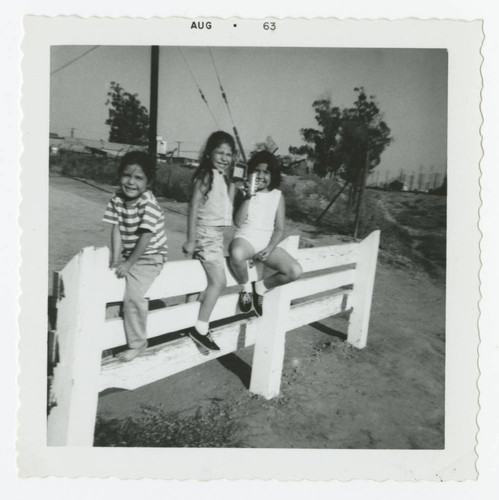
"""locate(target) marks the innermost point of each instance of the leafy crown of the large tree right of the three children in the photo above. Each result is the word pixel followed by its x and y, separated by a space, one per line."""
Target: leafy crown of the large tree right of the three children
pixel 346 138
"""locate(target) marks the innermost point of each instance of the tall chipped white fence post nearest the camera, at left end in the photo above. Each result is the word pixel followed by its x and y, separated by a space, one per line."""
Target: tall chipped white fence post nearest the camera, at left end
pixel 80 317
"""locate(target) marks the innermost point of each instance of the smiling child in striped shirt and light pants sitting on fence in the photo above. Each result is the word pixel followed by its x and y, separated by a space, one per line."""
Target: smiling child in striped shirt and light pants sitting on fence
pixel 138 244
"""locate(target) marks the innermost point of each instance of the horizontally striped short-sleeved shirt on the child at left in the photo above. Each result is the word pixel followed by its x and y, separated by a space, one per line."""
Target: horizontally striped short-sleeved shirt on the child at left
pixel 145 215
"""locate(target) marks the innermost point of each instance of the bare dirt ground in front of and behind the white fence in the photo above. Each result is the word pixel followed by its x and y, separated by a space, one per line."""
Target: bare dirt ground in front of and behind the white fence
pixel 389 395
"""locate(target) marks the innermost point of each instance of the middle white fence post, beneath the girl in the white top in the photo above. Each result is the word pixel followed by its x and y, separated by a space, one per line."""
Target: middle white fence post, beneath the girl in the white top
pixel 268 355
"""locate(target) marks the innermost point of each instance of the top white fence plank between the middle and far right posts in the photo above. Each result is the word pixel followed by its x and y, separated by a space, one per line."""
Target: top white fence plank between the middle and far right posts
pixel 313 259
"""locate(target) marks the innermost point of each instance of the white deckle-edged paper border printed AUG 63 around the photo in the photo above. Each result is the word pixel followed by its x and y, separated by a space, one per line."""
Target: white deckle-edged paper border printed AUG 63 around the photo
pixel 463 40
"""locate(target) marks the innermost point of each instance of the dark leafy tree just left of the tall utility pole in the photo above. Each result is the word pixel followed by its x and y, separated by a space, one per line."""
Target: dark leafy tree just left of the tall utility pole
pixel 128 118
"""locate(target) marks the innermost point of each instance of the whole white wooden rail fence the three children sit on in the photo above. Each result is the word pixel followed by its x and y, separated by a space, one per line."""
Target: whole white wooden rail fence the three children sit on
pixel 86 285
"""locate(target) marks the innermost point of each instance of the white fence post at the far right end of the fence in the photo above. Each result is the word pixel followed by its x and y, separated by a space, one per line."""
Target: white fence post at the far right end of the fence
pixel 363 290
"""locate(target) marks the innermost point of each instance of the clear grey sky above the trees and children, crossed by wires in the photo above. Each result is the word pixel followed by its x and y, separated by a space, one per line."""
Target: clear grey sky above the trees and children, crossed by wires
pixel 270 93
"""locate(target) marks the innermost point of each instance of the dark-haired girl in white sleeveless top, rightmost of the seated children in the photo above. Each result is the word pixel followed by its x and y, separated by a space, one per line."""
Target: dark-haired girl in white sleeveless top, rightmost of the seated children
pixel 260 227
